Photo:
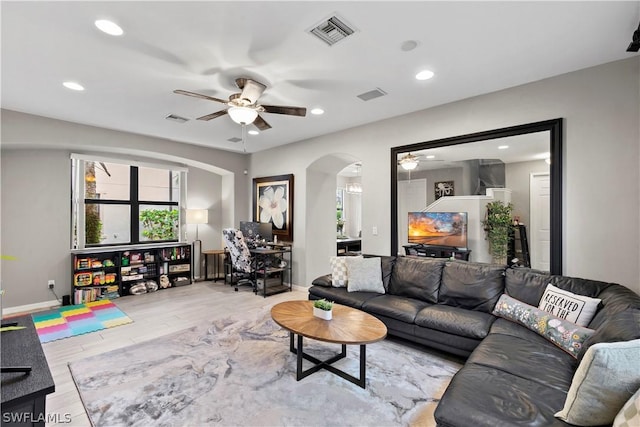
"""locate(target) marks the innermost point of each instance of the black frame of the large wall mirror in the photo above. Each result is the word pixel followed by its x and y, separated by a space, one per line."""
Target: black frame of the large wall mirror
pixel 555 128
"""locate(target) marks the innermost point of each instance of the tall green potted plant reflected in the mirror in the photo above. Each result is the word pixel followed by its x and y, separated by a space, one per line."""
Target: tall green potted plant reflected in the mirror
pixel 497 226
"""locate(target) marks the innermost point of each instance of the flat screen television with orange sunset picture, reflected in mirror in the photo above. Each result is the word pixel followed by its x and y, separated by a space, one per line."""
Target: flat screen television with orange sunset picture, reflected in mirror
pixel 438 228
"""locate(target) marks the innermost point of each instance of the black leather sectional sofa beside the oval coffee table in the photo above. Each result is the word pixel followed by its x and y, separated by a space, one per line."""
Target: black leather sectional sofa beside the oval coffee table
pixel 512 376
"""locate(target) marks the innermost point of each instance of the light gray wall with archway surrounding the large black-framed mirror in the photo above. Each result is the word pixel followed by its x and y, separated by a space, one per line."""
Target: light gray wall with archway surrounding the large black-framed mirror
pixel 600 106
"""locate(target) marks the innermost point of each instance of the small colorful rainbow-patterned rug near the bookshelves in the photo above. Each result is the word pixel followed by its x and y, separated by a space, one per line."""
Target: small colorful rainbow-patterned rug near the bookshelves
pixel 71 320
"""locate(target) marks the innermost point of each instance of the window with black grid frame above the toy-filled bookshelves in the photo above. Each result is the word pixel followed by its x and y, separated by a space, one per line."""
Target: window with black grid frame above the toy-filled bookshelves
pixel 119 204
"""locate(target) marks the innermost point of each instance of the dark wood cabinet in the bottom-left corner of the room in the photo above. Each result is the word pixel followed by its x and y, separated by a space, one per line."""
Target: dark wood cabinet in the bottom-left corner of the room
pixel 24 395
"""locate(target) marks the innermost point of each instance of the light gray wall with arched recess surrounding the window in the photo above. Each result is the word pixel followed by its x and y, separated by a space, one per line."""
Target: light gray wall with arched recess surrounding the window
pixel 36 198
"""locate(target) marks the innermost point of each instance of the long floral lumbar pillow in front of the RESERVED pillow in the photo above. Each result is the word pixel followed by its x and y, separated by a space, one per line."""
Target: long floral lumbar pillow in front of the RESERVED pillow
pixel 566 335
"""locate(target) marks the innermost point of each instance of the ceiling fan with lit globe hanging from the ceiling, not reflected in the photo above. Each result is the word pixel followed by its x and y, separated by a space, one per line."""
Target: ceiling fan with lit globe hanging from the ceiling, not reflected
pixel 243 107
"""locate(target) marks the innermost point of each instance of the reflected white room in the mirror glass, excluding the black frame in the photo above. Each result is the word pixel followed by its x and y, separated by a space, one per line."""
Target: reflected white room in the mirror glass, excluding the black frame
pixel 447 179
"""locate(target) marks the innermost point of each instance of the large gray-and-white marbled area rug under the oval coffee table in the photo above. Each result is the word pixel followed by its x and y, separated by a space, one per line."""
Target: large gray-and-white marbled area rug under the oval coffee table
pixel 239 372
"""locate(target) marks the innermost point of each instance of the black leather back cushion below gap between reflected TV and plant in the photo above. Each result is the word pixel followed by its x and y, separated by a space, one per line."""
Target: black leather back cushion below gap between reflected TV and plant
pixel 473 286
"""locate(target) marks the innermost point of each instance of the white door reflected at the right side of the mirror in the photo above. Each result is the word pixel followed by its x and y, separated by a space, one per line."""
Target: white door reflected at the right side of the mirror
pixel 540 217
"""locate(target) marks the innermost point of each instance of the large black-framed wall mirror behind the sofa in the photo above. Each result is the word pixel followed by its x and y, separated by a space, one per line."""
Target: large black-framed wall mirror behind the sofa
pixel 519 164
